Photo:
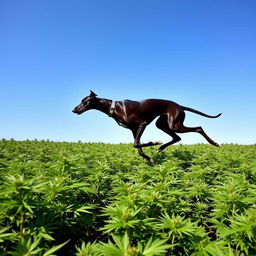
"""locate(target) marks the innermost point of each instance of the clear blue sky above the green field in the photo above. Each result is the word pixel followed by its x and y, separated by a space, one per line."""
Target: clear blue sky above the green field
pixel 199 53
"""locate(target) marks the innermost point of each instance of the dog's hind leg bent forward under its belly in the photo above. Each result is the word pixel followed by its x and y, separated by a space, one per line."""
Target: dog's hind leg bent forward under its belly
pixel 162 124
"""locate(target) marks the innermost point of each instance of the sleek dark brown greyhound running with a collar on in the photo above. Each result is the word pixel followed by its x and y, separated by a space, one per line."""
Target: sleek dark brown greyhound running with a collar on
pixel 136 115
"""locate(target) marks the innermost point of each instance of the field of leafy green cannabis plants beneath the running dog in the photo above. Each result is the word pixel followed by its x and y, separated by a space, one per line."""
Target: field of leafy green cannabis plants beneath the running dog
pixel 87 199
